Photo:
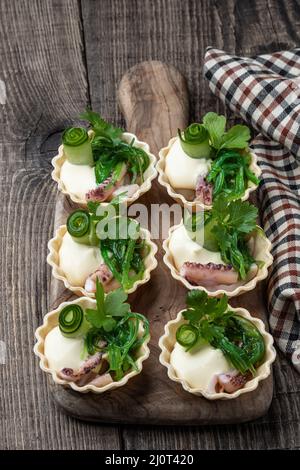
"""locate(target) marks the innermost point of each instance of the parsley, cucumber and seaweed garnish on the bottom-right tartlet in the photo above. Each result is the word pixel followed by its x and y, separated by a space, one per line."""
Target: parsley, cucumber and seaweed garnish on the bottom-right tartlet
pixel 211 320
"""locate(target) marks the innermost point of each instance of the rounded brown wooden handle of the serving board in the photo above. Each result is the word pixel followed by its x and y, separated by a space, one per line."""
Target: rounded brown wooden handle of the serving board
pixel 153 98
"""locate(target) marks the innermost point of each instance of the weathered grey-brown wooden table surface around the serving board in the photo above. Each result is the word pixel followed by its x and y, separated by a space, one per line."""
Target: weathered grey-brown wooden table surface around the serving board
pixel 57 56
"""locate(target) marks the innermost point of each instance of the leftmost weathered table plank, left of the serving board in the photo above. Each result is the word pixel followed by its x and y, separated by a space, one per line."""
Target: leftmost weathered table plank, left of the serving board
pixel 44 73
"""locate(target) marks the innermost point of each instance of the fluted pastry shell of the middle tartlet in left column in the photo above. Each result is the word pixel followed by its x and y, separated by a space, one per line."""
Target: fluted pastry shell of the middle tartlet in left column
pixel 53 260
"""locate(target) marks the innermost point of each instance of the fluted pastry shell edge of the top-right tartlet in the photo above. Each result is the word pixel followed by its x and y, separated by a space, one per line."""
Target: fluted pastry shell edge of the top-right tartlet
pixel 192 205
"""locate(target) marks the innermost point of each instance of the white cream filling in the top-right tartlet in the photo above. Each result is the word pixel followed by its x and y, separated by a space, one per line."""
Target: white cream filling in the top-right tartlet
pixel 182 170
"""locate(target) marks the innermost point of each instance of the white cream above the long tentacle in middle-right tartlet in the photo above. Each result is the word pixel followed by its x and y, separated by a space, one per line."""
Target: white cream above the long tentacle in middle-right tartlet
pixel 184 249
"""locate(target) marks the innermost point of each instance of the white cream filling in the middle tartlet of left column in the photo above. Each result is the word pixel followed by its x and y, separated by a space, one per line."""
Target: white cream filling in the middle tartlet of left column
pixel 78 261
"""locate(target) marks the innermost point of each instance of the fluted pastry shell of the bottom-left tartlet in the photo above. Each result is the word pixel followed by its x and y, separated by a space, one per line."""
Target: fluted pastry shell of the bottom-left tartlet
pixel 50 323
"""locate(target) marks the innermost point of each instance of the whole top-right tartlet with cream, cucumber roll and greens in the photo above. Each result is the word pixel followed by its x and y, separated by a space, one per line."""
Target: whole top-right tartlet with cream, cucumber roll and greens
pixel 199 164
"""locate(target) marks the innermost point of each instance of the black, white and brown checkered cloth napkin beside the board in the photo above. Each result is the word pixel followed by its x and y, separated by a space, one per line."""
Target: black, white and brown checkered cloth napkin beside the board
pixel 265 92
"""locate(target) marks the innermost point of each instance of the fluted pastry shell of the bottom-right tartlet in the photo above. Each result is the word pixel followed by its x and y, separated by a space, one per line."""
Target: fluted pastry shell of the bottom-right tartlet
pixel 168 341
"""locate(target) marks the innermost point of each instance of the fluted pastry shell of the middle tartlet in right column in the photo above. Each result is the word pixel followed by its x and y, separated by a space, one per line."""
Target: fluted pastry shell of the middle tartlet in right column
pixel 262 252
